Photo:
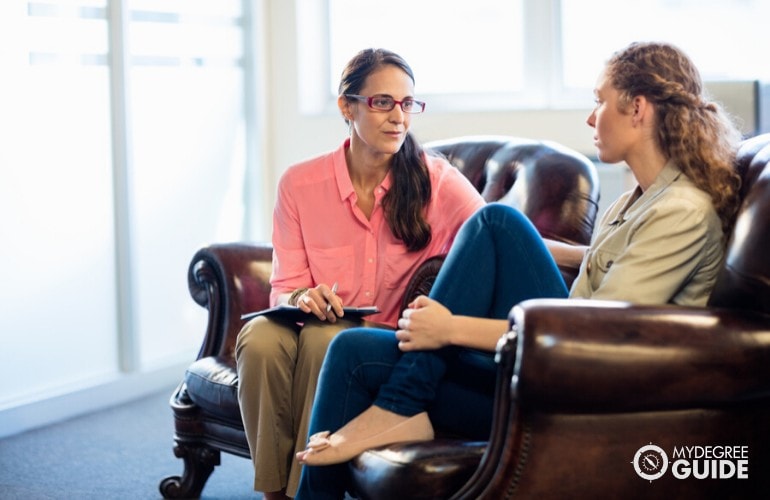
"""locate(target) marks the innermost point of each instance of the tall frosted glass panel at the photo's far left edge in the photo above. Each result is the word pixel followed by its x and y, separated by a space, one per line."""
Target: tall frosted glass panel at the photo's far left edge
pixel 56 195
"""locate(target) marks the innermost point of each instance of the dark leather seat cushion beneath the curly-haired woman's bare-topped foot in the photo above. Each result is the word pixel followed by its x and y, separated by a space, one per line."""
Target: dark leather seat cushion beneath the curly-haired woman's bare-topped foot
pixel 432 469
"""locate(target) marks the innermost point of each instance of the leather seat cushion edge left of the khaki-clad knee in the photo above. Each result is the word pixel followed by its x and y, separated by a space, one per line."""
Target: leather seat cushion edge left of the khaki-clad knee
pixel 212 384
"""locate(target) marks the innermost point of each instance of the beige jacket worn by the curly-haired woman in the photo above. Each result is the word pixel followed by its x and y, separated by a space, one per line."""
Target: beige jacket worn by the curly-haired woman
pixel 663 245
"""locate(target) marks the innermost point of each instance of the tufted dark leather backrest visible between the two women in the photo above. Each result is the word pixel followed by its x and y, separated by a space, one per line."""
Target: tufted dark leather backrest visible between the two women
pixel 556 187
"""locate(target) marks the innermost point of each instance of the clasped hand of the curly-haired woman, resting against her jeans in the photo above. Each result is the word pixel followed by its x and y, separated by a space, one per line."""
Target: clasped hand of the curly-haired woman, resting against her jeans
pixel 424 325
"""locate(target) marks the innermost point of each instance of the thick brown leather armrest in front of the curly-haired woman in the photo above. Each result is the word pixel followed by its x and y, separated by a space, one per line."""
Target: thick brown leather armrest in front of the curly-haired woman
pixel 602 356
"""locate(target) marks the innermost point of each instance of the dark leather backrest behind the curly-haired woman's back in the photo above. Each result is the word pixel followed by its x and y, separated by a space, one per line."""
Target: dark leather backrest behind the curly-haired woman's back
pixel 744 281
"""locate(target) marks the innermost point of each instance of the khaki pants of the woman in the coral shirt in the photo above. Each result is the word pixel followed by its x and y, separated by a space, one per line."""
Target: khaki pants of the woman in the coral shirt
pixel 278 366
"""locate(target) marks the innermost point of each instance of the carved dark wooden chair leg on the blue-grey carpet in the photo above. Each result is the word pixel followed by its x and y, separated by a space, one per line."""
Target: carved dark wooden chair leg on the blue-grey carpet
pixel 199 463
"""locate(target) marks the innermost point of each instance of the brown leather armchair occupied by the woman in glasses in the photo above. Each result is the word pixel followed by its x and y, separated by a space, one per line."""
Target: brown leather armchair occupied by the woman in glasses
pixel 556 187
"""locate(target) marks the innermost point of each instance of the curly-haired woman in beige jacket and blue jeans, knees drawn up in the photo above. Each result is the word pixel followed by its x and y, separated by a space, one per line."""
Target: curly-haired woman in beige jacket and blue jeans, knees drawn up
pixel 661 242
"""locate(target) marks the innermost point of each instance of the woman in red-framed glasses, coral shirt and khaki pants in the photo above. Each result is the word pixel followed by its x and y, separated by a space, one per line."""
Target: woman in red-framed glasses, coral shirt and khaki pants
pixel 349 228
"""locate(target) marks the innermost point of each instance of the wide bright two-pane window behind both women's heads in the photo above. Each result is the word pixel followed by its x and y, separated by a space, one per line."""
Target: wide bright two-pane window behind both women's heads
pixel 505 54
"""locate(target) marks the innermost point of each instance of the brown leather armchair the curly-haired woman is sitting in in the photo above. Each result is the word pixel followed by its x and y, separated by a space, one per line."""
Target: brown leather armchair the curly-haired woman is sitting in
pixel 590 391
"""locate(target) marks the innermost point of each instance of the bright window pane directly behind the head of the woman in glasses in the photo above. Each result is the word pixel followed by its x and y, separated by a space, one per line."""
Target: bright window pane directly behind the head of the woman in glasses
pixel 439 39
